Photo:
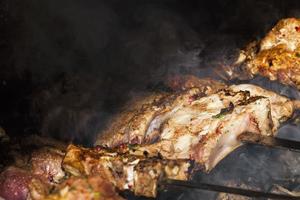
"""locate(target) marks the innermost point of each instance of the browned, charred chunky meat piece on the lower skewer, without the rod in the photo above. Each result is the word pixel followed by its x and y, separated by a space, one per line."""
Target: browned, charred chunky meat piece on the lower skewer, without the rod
pixel 136 173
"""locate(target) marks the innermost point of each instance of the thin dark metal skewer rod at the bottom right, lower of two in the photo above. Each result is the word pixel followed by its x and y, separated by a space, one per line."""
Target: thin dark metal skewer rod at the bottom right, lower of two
pixel 227 189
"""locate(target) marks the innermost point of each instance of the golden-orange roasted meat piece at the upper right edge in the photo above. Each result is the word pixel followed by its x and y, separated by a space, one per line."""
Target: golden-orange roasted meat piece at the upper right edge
pixel 277 55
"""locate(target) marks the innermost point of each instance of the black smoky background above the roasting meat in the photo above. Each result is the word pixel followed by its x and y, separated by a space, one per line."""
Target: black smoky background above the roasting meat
pixel 67 65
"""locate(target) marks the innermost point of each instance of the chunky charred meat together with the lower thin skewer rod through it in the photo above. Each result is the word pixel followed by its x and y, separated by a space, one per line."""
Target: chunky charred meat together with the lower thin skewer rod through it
pixel 143 176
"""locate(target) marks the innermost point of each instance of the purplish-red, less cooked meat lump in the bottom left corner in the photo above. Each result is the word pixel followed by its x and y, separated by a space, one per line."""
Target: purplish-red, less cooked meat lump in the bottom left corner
pixel 32 177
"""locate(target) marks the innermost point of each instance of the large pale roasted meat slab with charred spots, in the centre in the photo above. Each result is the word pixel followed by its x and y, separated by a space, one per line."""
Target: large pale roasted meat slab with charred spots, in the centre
pixel 189 125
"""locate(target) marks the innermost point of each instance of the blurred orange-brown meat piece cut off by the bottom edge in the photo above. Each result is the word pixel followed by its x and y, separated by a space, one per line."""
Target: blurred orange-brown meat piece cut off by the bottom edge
pixel 84 188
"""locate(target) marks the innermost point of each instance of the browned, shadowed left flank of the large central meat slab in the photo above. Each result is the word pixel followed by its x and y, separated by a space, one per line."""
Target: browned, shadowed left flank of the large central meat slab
pixel 131 126
